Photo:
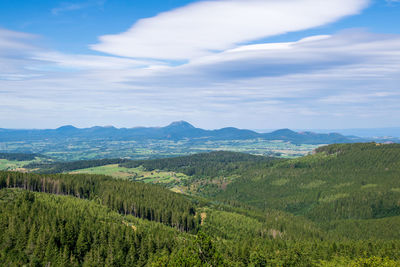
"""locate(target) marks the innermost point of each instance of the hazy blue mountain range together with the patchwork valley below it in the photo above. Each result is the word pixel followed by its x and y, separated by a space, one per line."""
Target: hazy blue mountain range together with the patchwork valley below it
pixel 178 138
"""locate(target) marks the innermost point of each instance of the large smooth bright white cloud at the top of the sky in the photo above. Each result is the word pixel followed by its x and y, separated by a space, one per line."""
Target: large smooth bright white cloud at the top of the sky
pixel 204 27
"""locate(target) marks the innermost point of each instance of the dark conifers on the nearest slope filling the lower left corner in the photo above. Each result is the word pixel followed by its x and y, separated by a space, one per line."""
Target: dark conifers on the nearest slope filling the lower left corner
pixel 46 230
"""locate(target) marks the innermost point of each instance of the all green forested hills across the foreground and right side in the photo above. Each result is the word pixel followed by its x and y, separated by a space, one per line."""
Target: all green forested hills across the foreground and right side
pixel 337 207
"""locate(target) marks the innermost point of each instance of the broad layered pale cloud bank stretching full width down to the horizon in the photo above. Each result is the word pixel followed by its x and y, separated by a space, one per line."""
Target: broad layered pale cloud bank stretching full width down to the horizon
pixel 346 79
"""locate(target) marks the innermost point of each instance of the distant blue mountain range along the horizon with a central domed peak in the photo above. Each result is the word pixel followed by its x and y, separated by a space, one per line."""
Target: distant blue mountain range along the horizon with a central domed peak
pixel 175 131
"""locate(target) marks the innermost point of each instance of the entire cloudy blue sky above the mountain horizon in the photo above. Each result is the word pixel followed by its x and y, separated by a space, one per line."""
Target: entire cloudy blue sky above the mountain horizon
pixel 256 64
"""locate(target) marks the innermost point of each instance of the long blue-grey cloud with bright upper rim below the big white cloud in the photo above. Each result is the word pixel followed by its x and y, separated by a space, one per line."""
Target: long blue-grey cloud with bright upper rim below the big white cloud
pixel 312 54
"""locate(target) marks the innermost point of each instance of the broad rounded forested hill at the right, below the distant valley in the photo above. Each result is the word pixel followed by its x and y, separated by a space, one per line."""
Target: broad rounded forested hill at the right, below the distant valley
pixel 352 181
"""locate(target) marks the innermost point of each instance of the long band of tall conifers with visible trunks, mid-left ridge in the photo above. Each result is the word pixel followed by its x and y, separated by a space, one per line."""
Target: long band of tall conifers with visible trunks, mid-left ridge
pixel 145 201
